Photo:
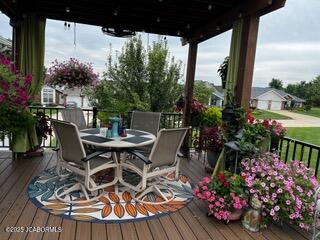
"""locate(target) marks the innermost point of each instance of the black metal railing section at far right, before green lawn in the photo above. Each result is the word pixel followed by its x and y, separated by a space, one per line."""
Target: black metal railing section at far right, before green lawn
pixel 292 149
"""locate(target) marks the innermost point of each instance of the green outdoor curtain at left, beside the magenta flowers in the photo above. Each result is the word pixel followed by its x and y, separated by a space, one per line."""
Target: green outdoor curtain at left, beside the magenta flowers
pixel 31 62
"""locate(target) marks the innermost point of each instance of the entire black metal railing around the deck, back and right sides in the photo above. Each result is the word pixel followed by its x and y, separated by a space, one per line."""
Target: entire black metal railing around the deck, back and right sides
pixel 288 149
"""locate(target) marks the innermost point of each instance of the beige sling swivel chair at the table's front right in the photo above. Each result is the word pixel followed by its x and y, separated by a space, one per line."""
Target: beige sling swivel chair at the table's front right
pixel 162 160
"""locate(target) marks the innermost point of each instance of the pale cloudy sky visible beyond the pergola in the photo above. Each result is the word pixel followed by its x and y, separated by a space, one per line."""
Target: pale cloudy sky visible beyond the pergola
pixel 288 45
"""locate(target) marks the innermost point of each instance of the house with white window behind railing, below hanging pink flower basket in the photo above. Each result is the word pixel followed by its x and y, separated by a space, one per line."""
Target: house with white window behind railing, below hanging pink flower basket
pixel 63 96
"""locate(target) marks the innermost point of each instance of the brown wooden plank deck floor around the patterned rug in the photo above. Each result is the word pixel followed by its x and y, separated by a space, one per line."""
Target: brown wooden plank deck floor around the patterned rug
pixel 190 222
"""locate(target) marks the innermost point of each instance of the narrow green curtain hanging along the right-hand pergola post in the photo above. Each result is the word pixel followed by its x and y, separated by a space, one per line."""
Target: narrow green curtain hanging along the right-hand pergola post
pixel 231 81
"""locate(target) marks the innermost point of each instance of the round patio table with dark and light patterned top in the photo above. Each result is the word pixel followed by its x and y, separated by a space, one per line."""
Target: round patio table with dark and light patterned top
pixel 134 139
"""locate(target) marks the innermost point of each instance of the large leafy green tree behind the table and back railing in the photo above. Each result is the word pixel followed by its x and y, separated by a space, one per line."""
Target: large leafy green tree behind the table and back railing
pixel 136 80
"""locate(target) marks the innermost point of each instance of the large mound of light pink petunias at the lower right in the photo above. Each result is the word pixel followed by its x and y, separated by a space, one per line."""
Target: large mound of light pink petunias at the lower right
pixel 286 191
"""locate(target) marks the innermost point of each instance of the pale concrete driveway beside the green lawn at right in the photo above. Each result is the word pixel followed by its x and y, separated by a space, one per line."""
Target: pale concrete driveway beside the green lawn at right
pixel 298 120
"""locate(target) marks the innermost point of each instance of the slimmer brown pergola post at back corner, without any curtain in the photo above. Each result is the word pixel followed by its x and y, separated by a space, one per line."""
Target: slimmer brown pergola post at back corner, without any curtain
pixel 188 92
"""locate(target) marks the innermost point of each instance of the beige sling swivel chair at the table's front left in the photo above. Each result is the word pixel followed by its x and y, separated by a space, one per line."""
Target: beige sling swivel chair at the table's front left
pixel 83 166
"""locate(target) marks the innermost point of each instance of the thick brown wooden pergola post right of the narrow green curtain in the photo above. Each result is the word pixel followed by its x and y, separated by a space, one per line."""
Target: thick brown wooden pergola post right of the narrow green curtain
pixel 246 60
